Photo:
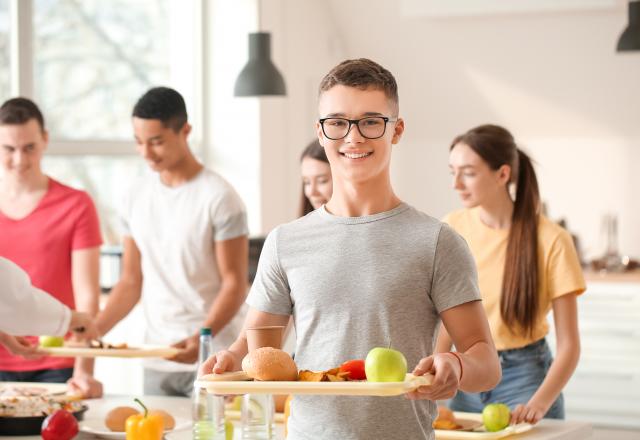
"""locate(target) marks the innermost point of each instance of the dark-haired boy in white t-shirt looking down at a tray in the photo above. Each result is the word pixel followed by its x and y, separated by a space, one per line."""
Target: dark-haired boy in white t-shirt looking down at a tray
pixel 185 247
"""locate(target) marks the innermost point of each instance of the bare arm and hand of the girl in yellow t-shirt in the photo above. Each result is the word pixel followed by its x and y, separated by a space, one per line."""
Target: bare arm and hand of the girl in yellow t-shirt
pixel 565 316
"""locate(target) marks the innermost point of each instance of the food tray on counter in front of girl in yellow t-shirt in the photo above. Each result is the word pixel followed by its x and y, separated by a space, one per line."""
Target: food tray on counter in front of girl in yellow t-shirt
pixel 465 426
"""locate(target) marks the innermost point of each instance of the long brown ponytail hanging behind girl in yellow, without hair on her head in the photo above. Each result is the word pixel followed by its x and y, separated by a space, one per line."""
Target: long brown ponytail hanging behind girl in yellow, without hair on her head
pixel 519 304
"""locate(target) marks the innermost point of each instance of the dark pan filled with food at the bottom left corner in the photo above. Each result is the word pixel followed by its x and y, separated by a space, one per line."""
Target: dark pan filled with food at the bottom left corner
pixel 25 405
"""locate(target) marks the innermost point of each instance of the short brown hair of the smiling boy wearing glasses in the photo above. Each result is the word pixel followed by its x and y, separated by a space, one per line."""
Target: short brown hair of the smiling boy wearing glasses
pixel 363 74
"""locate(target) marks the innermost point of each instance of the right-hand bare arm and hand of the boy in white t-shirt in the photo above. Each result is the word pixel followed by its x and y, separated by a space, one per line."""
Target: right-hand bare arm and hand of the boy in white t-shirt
pixel 232 257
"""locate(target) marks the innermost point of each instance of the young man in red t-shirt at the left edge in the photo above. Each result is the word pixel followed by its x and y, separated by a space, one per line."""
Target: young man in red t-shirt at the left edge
pixel 52 232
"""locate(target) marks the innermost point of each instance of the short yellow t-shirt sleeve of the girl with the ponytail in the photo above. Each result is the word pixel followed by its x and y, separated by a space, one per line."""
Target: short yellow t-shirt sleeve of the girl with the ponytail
pixel 564 273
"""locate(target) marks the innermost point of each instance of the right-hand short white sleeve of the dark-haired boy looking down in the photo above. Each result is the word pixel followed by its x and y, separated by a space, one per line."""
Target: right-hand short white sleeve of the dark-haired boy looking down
pixel 229 217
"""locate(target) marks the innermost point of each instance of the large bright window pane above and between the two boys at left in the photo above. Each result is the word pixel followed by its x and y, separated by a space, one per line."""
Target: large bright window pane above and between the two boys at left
pixel 93 58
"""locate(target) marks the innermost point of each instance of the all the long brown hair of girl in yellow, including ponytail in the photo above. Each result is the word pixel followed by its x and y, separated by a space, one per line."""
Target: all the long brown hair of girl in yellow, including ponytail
pixel 519 304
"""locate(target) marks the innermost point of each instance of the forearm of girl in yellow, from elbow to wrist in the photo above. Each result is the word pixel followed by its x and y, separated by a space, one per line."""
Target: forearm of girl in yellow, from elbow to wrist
pixel 558 376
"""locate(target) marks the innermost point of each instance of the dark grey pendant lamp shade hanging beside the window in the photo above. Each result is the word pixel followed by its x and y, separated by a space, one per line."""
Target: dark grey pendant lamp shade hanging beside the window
pixel 259 77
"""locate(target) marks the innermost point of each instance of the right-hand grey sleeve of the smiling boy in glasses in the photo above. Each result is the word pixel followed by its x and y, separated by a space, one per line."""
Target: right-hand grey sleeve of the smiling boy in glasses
pixel 455 278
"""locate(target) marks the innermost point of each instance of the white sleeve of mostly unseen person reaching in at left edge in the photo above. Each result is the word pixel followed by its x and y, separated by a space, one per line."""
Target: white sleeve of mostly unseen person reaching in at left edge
pixel 26 310
